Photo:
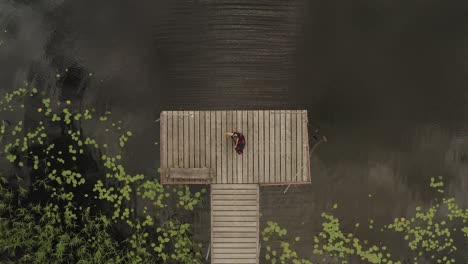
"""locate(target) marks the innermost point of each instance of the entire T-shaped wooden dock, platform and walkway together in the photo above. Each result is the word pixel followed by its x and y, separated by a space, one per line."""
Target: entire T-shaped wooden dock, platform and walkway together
pixel 196 150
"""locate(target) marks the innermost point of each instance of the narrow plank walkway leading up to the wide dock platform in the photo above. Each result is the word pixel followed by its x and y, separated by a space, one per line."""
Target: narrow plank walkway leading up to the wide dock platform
pixel 235 223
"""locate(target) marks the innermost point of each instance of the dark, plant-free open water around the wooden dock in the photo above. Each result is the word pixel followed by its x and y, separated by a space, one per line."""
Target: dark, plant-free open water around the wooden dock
pixel 386 81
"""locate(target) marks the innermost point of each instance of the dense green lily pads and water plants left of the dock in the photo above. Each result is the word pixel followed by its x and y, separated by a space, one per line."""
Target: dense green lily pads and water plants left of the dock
pixel 52 208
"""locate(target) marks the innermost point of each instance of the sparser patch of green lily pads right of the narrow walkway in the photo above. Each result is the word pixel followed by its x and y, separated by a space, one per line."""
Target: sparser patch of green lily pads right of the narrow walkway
pixel 436 234
